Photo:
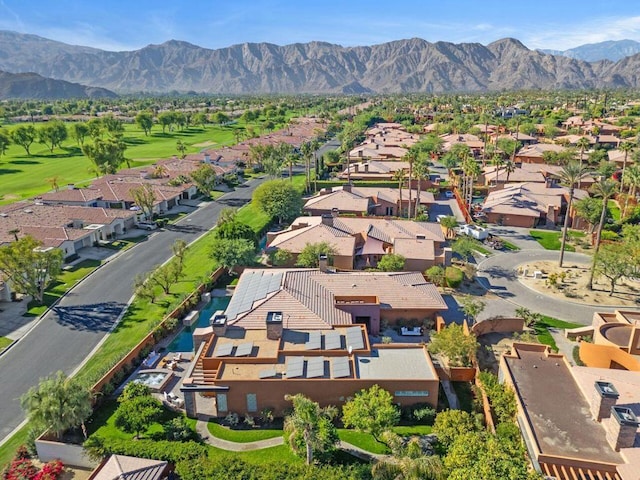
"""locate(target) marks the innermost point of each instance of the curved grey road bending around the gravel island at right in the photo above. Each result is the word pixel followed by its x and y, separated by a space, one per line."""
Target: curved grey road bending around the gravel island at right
pixel 498 274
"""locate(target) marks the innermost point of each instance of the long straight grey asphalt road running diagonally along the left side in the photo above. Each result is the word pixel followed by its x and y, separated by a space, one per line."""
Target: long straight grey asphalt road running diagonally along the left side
pixel 67 334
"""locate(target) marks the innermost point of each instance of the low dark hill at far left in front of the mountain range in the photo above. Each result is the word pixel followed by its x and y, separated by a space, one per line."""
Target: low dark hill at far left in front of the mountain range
pixel 33 86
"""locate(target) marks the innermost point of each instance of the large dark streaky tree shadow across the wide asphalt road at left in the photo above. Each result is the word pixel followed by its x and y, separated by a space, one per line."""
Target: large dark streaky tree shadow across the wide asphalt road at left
pixel 96 317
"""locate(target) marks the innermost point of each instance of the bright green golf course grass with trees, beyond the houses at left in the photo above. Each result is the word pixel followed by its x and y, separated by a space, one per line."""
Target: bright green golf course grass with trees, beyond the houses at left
pixel 25 176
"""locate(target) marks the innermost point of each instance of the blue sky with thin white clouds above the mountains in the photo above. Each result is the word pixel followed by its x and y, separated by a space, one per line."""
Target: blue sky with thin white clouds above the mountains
pixel 132 24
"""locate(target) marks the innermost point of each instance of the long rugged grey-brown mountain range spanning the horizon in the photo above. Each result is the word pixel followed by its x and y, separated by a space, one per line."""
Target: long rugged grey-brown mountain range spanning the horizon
pixel 412 65
